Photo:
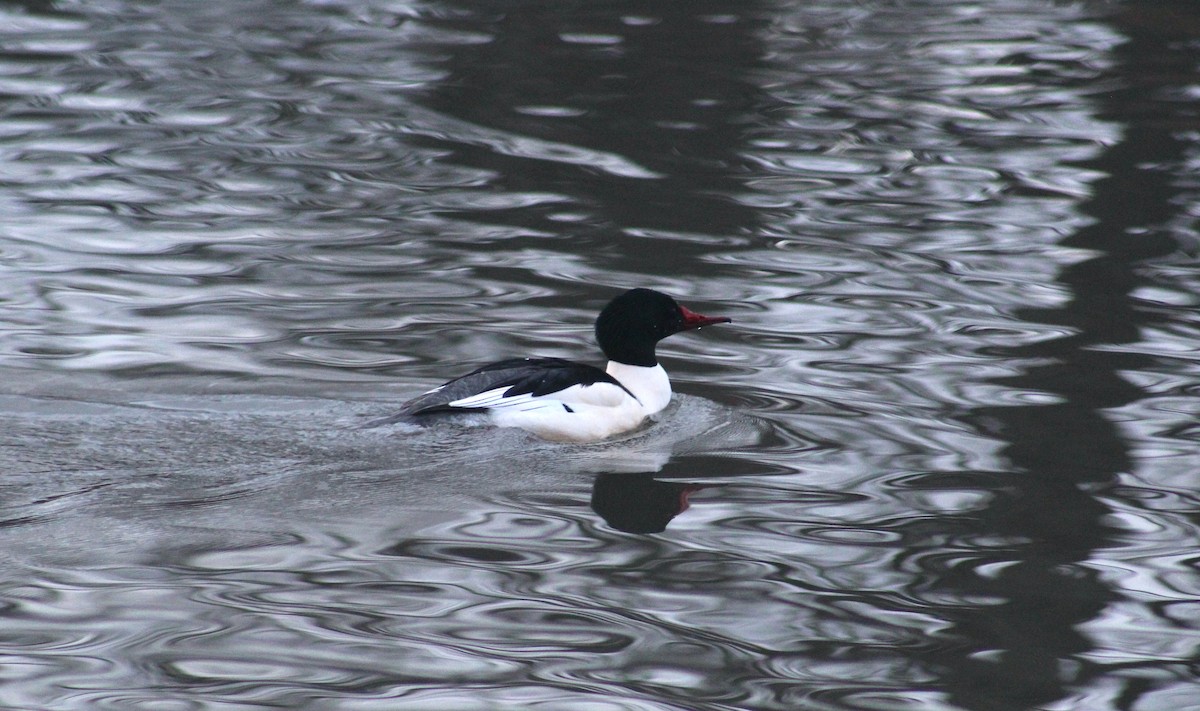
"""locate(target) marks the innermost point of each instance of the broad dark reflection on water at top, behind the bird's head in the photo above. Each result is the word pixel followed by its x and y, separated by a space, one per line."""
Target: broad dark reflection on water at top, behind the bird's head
pixel 670 88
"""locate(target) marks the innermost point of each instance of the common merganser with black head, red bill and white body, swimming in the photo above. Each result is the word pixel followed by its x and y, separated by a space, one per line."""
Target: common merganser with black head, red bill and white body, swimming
pixel 569 402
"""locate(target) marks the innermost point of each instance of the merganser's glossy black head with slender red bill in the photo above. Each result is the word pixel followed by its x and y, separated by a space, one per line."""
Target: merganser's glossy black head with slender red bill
pixel 631 326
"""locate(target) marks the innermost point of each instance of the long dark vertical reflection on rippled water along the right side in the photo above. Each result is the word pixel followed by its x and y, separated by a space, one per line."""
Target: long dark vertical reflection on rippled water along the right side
pixel 1030 649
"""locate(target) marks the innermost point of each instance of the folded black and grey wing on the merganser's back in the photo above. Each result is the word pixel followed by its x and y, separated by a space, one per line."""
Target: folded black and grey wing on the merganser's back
pixel 533 377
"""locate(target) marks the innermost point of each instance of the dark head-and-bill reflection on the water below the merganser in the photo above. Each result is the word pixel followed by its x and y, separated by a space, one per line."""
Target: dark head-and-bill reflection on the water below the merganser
pixel 640 504
